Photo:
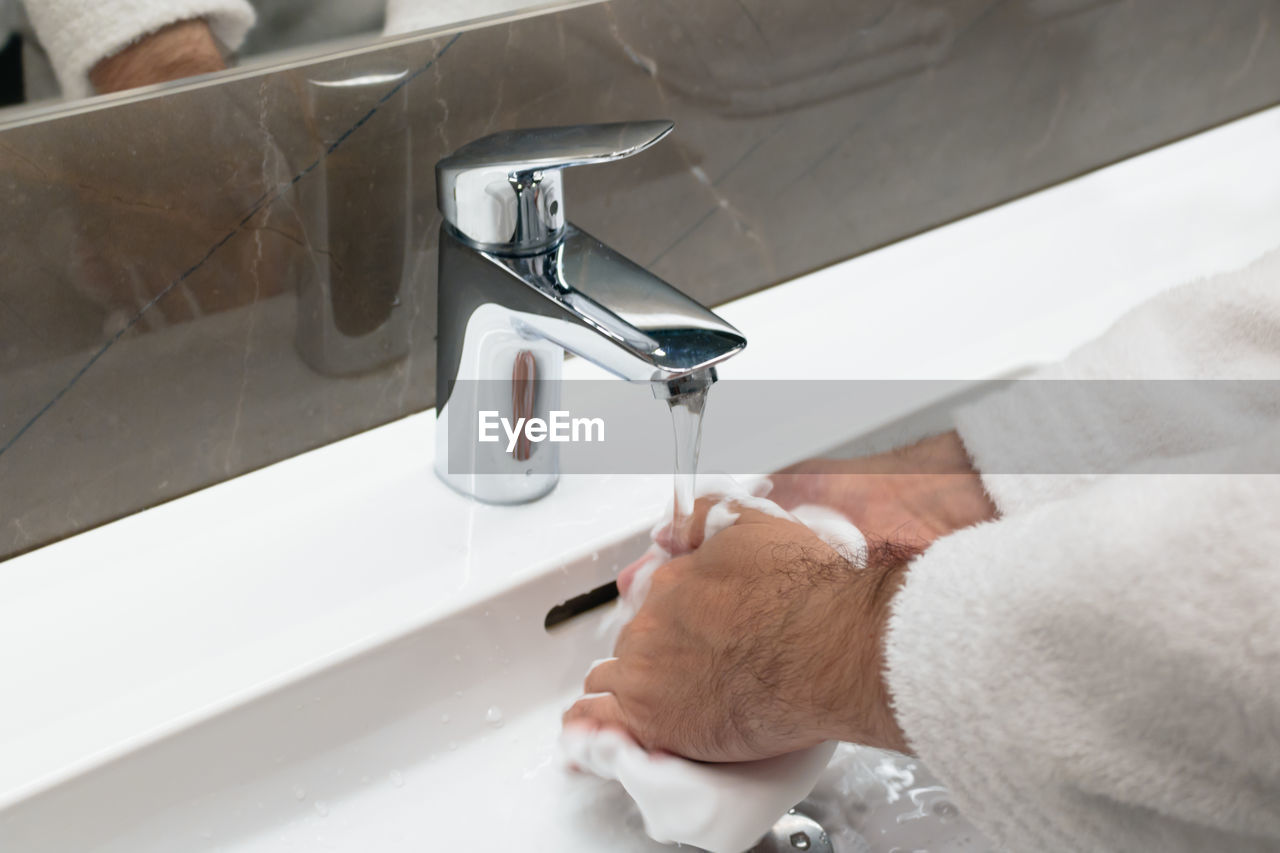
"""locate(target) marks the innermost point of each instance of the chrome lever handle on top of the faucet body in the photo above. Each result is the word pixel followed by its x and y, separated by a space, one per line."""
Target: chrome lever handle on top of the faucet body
pixel 505 193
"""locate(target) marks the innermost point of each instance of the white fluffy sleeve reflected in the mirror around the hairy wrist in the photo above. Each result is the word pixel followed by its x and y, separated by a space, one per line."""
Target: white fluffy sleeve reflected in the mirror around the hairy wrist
pixel 77 34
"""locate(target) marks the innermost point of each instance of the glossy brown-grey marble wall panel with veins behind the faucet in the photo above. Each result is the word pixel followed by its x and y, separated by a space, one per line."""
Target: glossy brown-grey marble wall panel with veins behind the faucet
pixel 163 256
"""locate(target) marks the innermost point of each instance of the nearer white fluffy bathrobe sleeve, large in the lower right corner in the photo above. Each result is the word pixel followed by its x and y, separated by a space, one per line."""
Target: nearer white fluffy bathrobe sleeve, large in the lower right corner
pixel 1103 673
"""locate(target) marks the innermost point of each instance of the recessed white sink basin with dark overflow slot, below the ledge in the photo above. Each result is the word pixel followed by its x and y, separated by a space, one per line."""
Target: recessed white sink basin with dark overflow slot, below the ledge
pixel 442 738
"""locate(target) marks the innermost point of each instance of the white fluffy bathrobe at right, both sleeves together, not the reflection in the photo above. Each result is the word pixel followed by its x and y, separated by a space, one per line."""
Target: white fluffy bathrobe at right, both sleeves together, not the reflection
pixel 1100 668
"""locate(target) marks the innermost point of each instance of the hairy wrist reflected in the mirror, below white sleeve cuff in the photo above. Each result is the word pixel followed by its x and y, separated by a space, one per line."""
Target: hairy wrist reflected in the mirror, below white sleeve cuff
pixel 180 51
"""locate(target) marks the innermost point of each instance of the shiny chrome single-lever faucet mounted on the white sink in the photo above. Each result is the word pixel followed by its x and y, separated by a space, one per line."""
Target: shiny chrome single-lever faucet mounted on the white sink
pixel 519 285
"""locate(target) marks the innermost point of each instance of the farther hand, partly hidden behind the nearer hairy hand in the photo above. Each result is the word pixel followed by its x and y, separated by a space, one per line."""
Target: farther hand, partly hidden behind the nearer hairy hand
pixel 909 496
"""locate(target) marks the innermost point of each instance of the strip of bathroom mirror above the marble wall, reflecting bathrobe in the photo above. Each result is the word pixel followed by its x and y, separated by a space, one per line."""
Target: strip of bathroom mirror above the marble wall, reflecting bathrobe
pixel 67 51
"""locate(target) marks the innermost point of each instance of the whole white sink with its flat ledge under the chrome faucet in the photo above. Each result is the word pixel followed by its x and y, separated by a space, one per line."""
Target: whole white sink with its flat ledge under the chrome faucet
pixel 305 659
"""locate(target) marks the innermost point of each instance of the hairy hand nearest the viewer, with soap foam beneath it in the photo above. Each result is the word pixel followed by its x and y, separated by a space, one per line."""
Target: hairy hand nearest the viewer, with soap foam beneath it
pixel 762 641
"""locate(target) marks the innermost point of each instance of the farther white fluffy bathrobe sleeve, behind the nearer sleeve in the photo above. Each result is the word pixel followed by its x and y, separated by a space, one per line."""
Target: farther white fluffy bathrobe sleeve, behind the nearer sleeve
pixel 1222 329
